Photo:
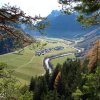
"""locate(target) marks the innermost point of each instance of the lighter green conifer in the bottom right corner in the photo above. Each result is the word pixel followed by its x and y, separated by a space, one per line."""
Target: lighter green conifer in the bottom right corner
pixel 90 86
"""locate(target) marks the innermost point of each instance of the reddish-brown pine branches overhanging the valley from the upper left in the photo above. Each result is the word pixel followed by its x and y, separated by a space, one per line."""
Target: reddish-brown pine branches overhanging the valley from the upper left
pixel 10 17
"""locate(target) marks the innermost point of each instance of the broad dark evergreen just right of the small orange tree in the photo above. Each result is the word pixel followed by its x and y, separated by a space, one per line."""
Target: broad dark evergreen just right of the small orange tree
pixel 70 77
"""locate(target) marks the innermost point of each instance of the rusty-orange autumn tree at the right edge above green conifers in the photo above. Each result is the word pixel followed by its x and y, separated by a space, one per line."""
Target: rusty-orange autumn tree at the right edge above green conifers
pixel 93 56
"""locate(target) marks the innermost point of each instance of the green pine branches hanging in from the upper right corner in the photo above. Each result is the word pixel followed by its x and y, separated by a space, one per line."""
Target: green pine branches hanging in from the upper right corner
pixel 89 10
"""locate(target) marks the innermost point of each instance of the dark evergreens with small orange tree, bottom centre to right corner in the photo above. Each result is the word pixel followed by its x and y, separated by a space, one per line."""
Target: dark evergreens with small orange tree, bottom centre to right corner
pixel 70 81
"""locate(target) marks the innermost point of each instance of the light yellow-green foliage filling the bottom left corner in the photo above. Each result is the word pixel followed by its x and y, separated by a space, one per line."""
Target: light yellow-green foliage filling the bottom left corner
pixel 10 87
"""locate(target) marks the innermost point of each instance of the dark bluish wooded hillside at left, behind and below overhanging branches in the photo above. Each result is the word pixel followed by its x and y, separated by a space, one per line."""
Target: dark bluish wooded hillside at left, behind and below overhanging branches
pixel 10 42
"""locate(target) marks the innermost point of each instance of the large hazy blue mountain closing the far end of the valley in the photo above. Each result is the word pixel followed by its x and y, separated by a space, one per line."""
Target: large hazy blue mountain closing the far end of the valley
pixel 64 26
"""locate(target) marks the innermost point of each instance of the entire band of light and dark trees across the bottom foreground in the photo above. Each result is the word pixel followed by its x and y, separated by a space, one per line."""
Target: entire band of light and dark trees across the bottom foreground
pixel 69 81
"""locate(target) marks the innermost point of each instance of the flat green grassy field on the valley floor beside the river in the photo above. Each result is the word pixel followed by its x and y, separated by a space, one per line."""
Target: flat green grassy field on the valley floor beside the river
pixel 26 64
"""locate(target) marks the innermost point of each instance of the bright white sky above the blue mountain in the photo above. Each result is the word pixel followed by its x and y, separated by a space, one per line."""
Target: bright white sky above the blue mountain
pixel 34 7
